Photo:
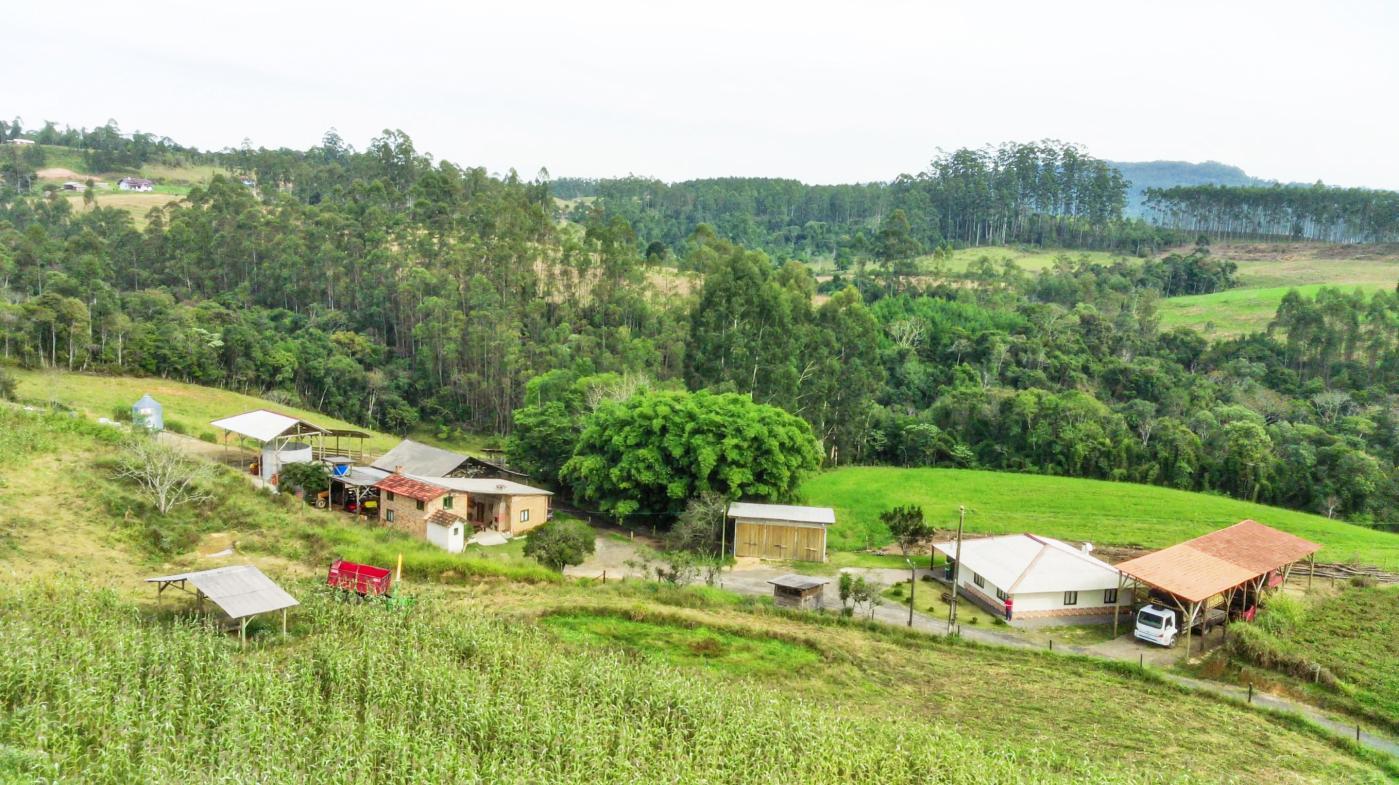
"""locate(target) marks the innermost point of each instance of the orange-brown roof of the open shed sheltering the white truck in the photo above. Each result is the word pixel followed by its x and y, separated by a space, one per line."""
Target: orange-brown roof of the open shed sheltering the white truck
pixel 1204 567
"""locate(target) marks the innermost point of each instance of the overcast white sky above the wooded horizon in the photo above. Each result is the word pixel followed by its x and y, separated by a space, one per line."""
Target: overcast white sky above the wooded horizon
pixel 811 90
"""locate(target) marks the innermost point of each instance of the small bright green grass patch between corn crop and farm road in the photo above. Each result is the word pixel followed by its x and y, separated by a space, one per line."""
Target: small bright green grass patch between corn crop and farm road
pixel 674 644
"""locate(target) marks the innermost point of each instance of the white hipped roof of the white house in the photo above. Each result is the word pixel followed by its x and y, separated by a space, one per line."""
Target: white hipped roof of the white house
pixel 1033 565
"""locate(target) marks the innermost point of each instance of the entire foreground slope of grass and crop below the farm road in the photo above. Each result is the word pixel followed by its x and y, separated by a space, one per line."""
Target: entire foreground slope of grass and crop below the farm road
pixel 537 679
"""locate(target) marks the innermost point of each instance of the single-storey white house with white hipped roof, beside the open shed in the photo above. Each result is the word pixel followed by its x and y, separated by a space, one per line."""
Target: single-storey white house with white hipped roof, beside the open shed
pixel 1032 577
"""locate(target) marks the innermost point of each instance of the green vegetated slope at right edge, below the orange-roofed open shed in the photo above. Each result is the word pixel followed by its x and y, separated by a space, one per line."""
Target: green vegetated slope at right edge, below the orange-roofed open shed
pixel 1342 647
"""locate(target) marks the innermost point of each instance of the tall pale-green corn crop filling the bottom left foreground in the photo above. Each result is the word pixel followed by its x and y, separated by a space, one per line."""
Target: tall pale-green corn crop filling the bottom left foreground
pixel 97 691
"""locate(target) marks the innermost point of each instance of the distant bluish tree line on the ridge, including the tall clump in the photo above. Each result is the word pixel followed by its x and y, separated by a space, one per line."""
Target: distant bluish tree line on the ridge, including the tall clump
pixel 1040 194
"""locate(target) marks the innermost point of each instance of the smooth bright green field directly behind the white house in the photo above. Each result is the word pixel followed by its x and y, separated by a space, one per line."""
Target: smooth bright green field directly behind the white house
pixel 1120 514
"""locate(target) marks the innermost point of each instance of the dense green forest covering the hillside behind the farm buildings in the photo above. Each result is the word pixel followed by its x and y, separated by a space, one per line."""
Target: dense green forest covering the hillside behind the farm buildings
pixel 392 290
